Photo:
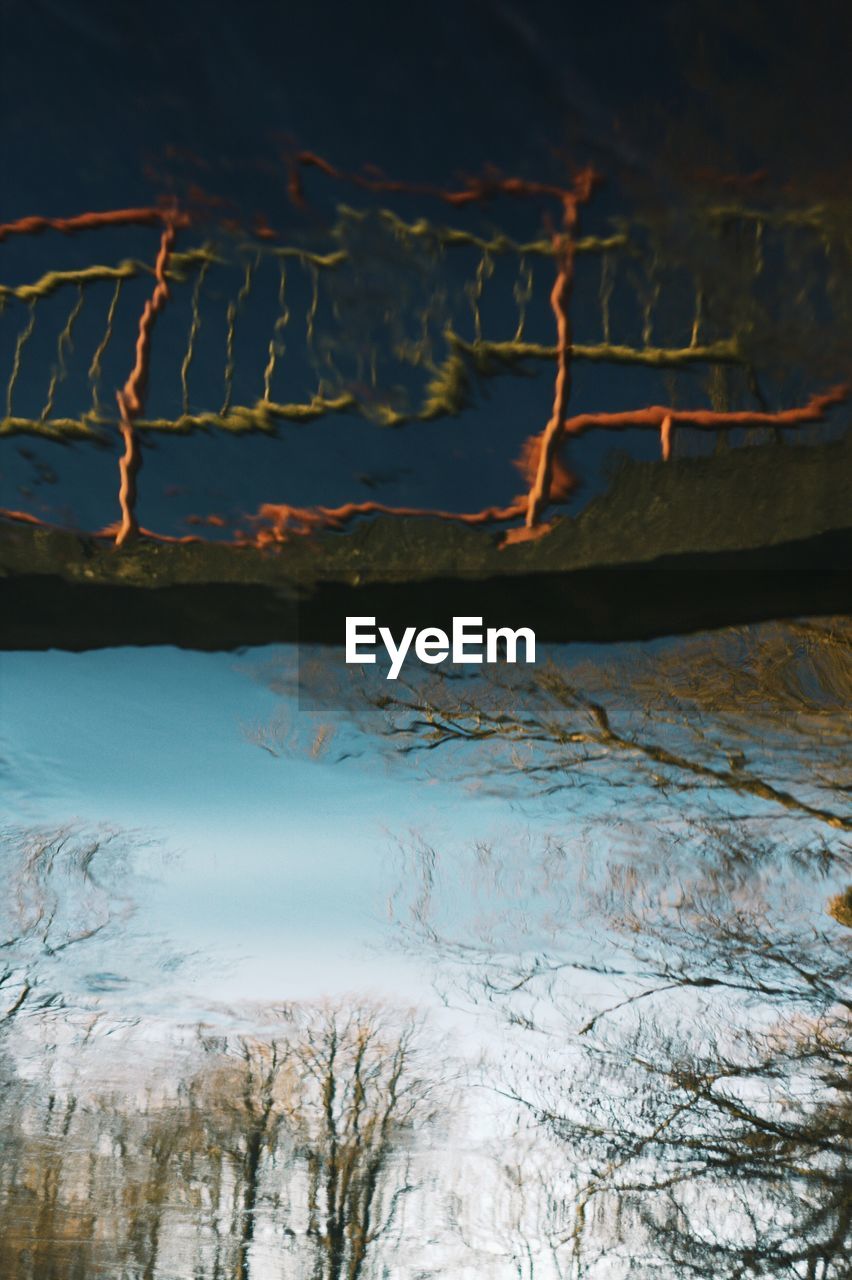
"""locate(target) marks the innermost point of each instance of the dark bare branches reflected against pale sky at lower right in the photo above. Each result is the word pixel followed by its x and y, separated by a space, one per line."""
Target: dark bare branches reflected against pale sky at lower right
pixel 691 1050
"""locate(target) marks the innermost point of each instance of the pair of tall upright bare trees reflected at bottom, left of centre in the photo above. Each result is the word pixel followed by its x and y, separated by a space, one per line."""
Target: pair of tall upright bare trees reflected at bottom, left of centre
pixel 338 1098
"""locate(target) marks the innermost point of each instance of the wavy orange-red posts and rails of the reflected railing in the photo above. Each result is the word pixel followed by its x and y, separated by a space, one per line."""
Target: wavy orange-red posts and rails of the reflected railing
pixel 548 478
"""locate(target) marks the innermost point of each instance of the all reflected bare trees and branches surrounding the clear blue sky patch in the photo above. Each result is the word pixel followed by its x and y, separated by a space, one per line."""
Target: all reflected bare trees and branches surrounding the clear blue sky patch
pixel 643 1062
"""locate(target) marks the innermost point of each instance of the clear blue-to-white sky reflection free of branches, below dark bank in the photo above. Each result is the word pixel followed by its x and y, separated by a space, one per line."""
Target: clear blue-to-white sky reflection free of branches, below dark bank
pixel 283 863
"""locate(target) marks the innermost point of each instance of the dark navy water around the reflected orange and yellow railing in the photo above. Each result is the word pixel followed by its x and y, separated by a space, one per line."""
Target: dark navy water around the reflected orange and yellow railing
pixel 116 107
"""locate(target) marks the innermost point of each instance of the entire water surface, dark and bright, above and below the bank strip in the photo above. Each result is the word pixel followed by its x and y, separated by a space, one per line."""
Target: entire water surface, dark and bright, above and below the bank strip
pixel 534 972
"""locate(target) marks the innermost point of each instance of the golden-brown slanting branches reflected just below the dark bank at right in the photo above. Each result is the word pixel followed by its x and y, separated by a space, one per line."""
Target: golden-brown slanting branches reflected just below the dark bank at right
pixel 750 723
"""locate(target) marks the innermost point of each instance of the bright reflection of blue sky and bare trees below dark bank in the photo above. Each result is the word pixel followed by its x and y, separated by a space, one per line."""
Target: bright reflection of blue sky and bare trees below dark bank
pixel 590 1018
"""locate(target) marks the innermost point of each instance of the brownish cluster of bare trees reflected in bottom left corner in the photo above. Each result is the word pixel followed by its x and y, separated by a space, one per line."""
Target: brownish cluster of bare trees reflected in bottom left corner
pixel 292 1146
